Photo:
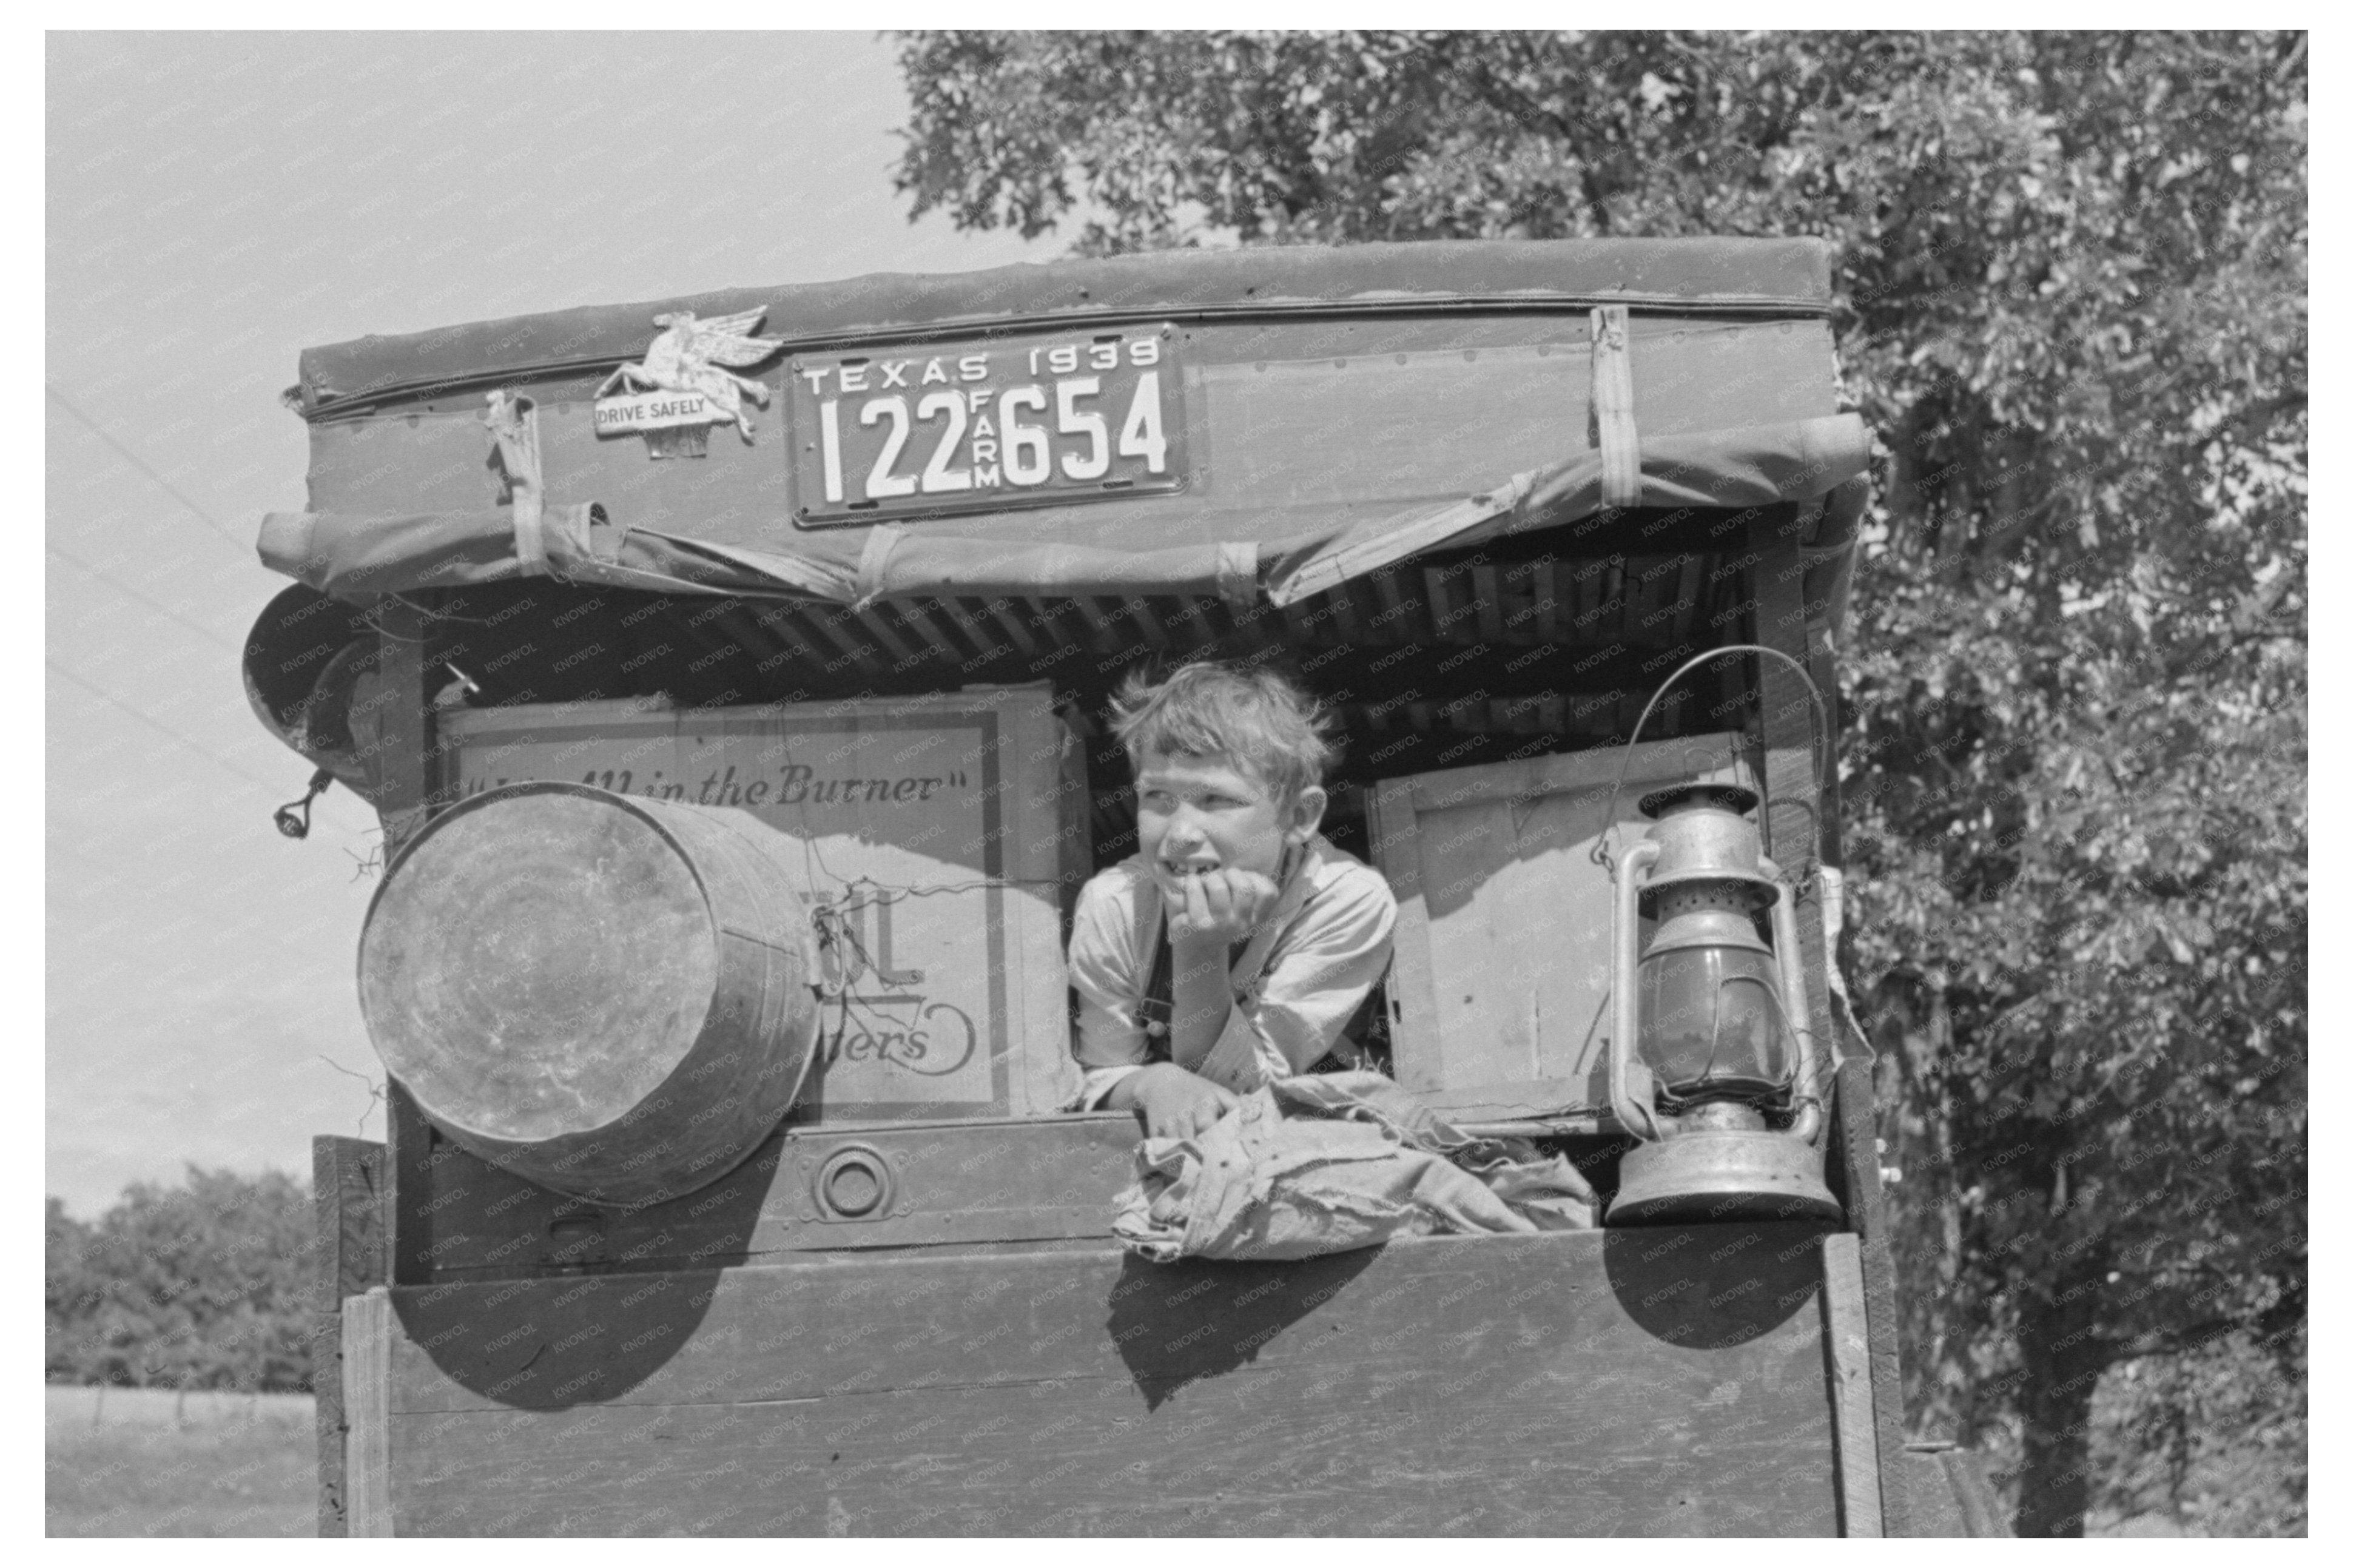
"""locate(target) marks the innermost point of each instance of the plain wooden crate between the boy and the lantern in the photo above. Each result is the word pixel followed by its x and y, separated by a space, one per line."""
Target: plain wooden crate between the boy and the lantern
pixel 1500 999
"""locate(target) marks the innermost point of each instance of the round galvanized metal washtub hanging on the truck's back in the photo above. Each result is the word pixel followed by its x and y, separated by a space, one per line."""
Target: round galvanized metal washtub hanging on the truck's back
pixel 606 995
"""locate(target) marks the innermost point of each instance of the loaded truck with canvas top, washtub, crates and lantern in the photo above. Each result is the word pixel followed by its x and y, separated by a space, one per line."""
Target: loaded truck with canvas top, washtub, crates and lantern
pixel 731 677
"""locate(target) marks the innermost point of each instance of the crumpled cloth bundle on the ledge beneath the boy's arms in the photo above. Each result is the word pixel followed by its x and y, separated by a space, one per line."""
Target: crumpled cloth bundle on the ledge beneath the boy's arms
pixel 1331 1164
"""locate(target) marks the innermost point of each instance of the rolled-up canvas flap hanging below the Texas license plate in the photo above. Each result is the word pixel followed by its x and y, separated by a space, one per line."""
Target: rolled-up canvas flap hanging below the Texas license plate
pixel 364 557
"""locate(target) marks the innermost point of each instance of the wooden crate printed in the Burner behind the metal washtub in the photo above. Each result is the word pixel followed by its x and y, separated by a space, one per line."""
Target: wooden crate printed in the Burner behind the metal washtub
pixel 942 839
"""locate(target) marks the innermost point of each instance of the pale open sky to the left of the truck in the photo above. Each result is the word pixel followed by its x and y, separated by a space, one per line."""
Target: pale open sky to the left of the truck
pixel 215 204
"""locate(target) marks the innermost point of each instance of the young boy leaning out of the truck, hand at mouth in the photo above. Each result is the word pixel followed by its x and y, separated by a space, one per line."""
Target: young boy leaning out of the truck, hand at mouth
pixel 1237 943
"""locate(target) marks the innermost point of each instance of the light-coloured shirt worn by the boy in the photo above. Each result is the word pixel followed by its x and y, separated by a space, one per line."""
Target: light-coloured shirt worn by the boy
pixel 1295 985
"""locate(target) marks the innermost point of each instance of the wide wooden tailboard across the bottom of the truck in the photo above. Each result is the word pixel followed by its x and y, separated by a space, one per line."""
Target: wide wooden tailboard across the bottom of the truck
pixel 1632 1383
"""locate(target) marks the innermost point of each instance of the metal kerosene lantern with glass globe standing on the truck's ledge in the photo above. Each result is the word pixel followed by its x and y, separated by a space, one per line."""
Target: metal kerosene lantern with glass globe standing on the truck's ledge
pixel 1712 1056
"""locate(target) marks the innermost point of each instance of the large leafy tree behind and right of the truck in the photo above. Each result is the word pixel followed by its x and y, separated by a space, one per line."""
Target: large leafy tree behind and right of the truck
pixel 2072 303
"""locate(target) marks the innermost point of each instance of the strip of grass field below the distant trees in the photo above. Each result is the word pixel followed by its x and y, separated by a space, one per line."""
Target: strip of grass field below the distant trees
pixel 147 1463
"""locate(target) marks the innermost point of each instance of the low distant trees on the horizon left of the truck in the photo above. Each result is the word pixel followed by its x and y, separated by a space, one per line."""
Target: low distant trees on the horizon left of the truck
pixel 196 1287
